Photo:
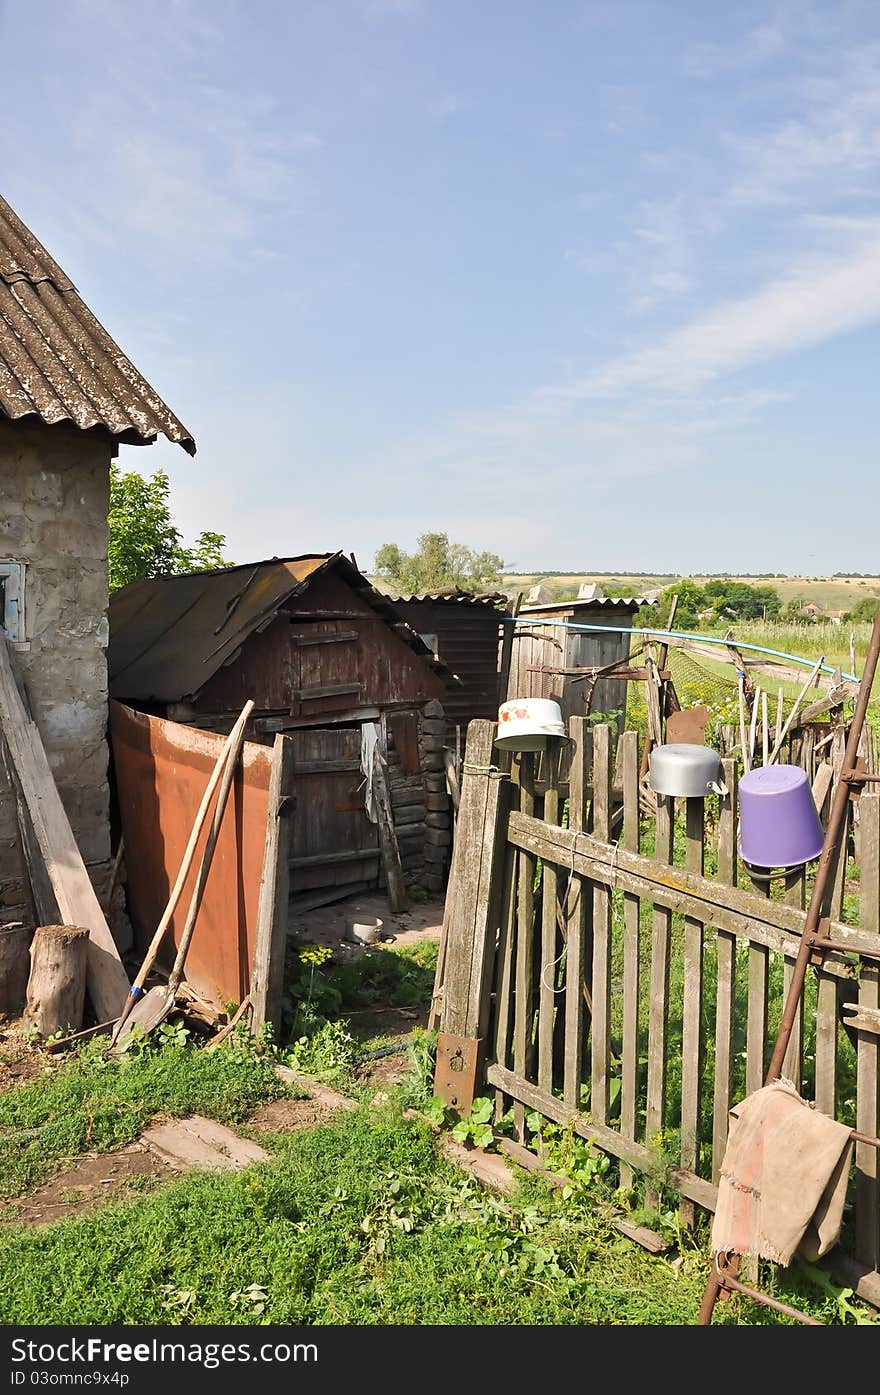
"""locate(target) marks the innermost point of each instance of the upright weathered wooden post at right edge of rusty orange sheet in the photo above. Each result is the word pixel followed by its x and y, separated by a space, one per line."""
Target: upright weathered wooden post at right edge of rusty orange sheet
pixel 268 970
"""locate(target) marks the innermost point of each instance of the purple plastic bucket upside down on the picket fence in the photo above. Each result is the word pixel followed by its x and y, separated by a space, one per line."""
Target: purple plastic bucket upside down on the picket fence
pixel 779 827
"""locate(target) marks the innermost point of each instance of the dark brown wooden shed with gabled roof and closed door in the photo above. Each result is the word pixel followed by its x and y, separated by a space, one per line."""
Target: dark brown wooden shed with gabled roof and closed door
pixel 327 661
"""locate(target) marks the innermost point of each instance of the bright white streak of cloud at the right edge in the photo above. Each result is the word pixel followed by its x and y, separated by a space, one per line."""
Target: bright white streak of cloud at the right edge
pixel 810 306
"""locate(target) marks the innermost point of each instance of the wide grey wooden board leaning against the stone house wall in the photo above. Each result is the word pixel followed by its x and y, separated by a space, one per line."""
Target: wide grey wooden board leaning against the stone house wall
pixel 62 889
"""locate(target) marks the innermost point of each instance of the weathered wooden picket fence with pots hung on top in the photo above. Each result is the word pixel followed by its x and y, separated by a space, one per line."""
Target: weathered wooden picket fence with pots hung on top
pixel 616 976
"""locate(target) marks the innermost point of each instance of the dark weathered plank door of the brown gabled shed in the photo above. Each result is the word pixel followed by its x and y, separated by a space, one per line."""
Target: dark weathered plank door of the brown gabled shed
pixel 334 842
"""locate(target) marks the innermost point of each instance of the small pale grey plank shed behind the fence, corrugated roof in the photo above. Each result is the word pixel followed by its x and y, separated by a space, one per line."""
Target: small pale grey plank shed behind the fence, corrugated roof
pixel 545 641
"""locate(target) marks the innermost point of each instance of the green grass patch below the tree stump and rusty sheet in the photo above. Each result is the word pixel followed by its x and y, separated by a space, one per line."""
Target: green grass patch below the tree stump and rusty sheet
pixel 91 1103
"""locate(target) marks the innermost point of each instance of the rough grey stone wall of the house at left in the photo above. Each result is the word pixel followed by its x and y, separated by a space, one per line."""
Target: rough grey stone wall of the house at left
pixel 54 517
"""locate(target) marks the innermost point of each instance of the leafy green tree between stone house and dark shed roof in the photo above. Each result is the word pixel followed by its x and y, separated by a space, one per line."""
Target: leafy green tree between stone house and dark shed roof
pixel 144 539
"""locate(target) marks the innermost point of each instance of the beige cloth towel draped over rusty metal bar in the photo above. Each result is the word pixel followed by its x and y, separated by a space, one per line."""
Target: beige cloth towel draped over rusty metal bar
pixel 783 1179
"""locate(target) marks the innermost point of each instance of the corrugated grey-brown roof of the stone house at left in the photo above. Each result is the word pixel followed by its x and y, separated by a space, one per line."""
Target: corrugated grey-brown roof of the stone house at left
pixel 58 363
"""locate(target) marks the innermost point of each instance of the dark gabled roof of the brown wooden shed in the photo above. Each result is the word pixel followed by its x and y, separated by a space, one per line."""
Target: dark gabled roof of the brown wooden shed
pixel 171 634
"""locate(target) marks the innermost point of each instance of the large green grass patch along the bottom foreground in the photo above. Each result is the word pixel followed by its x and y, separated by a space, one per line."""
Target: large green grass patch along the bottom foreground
pixel 359 1223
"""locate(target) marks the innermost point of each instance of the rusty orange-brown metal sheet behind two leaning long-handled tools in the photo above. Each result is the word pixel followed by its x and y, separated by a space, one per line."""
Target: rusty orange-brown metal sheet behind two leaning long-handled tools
pixel 162 769
